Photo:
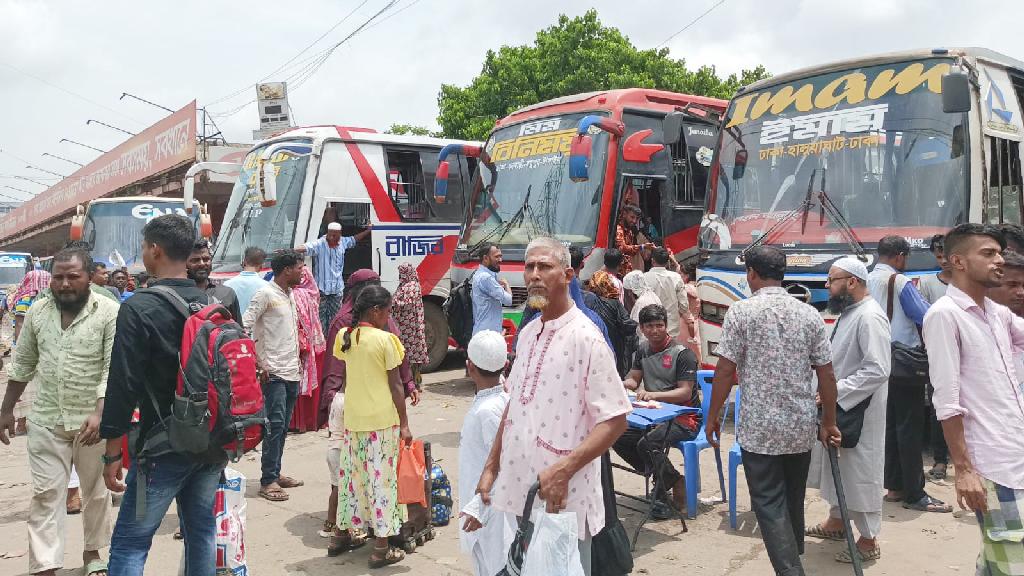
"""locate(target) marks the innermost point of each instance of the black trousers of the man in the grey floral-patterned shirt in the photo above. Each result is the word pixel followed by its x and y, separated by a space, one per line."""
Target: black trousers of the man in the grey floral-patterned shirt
pixel 778 485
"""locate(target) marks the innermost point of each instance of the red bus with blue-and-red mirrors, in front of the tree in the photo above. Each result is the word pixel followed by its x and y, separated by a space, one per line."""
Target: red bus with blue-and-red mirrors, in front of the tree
pixel 636 146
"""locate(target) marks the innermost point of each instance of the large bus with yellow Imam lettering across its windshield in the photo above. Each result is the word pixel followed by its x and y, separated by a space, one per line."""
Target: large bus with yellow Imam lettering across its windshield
pixel 825 162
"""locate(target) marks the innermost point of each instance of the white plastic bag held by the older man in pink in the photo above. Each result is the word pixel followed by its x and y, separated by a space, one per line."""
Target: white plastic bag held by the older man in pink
pixel 554 550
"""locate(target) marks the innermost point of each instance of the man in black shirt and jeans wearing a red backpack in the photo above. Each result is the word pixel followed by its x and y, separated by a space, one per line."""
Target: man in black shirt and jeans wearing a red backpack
pixel 144 374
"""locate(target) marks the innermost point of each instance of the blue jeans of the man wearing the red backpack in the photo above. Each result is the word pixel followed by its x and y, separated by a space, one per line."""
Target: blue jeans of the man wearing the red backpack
pixel 169 477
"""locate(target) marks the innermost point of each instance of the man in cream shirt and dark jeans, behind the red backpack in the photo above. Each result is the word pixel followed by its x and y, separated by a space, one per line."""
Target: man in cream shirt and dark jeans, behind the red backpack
pixel 273 321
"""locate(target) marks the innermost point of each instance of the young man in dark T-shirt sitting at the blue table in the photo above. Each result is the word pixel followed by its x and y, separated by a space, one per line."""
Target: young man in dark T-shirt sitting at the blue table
pixel 668 372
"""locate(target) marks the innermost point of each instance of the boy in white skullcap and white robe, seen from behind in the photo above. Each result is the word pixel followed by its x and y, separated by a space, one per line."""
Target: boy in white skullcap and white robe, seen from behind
pixel 488 354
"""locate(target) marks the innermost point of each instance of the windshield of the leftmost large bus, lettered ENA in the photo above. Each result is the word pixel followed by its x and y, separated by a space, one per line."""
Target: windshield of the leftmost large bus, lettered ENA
pixel 115 229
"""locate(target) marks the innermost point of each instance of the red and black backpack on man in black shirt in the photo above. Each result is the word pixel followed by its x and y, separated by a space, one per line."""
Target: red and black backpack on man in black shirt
pixel 219 401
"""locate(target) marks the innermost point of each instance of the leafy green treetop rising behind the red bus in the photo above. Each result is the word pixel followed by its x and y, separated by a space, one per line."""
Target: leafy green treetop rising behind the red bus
pixel 575 56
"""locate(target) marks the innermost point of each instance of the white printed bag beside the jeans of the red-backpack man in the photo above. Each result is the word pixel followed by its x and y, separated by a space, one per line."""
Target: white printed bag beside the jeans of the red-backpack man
pixel 230 510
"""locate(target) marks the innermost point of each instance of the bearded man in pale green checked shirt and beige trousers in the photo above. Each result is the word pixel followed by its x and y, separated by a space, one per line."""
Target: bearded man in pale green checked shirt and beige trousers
pixel 65 345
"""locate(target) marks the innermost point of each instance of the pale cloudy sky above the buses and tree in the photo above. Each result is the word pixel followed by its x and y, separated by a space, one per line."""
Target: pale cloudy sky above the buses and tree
pixel 64 63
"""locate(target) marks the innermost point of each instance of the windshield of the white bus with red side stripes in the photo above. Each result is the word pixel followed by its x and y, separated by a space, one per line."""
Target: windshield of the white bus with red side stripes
pixel 247 223
